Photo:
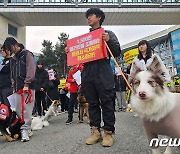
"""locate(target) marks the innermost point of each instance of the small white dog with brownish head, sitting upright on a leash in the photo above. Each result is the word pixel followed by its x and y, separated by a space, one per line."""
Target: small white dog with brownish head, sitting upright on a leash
pixel 52 111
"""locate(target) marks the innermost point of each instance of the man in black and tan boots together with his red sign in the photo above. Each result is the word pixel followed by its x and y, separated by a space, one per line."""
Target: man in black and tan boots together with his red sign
pixel 97 76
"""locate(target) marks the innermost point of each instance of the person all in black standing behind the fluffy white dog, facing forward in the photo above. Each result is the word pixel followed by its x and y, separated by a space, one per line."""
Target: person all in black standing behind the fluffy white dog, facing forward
pixel 41 83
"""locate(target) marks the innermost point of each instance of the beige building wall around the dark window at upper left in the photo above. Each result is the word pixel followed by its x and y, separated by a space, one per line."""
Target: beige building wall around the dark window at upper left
pixel 21 31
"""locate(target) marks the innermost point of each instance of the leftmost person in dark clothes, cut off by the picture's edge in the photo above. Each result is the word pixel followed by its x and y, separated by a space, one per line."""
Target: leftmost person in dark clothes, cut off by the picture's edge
pixel 5 80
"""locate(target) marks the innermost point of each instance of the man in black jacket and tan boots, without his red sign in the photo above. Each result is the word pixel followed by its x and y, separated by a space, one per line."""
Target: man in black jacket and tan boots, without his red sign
pixel 98 84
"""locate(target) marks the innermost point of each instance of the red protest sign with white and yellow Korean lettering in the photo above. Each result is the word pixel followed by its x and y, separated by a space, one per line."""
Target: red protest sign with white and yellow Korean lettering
pixel 86 48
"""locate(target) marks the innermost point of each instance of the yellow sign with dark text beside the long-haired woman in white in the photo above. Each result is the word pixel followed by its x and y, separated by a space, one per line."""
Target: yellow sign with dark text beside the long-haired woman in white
pixel 130 55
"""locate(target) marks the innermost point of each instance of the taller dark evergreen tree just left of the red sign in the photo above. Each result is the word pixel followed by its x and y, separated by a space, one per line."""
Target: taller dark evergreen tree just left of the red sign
pixel 60 54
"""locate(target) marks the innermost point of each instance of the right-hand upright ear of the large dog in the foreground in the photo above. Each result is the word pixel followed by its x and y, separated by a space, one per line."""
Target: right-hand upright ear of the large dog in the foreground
pixel 156 68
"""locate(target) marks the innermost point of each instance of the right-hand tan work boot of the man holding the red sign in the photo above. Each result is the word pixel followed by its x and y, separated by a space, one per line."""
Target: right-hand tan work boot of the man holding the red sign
pixel 107 139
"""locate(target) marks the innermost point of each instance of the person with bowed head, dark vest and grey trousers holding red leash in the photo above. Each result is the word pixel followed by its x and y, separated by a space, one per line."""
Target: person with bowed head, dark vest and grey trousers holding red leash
pixel 22 68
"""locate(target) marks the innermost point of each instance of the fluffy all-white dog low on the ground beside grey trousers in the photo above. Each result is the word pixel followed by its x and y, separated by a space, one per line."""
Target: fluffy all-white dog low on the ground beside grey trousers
pixel 38 123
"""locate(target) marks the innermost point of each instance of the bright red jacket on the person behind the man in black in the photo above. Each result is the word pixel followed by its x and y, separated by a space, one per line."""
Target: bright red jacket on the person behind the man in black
pixel 73 85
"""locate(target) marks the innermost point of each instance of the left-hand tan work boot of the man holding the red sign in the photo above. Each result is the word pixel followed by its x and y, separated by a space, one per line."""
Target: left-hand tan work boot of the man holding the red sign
pixel 95 136
